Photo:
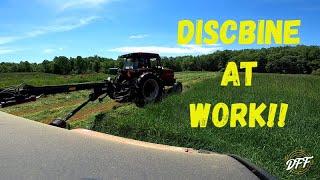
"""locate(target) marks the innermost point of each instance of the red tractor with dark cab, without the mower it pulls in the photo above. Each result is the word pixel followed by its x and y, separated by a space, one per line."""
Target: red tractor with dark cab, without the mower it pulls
pixel 142 79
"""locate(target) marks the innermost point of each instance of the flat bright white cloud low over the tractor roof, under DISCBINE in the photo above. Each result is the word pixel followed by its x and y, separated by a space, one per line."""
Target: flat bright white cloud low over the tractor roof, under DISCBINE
pixel 180 50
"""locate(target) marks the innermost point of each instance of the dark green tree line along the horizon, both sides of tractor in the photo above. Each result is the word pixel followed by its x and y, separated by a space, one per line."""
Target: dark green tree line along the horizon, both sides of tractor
pixel 293 60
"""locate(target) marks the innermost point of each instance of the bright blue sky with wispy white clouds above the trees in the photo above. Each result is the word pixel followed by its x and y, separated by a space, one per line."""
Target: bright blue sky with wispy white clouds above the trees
pixel 35 30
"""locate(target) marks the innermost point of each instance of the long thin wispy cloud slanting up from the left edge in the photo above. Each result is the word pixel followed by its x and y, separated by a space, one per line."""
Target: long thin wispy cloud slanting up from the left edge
pixel 57 27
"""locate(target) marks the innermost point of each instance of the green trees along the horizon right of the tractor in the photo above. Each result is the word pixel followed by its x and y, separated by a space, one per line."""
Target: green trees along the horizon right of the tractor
pixel 289 60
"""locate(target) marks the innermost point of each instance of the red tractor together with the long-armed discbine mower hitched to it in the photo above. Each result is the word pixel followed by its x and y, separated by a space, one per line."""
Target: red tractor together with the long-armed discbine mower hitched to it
pixel 142 80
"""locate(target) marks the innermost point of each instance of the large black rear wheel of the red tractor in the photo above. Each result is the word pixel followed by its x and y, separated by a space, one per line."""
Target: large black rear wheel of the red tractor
pixel 149 90
